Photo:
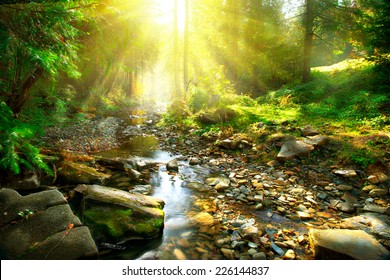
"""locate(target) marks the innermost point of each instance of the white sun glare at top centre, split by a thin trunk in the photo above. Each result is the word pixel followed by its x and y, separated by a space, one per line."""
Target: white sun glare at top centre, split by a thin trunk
pixel 166 12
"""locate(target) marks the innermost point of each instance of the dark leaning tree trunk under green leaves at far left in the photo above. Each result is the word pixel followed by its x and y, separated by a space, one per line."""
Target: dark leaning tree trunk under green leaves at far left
pixel 20 95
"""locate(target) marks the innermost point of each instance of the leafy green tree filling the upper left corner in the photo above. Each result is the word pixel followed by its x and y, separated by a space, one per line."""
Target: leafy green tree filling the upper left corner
pixel 36 39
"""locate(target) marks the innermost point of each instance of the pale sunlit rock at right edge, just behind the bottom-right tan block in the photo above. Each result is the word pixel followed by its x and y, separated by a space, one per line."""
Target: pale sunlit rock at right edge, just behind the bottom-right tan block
pixel 372 223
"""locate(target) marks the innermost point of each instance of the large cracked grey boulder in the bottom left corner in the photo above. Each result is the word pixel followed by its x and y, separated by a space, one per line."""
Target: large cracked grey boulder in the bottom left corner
pixel 41 226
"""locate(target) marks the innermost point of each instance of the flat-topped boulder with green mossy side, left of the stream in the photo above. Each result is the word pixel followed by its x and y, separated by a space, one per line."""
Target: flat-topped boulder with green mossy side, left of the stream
pixel 117 216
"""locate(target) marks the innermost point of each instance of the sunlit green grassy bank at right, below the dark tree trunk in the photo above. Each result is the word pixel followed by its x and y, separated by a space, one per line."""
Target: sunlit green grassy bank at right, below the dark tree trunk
pixel 352 91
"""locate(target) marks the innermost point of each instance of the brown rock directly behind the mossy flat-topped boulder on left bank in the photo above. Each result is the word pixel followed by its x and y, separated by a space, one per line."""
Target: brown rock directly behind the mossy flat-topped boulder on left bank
pixel 75 173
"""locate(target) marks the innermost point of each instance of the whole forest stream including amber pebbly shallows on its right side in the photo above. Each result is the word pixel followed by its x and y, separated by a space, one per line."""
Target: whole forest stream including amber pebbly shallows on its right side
pixel 197 219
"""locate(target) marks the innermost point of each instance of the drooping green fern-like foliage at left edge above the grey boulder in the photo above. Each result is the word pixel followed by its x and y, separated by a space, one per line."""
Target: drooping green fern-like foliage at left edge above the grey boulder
pixel 15 147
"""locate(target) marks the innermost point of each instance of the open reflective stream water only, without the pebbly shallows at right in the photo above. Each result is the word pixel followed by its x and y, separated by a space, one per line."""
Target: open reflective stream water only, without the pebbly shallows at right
pixel 179 200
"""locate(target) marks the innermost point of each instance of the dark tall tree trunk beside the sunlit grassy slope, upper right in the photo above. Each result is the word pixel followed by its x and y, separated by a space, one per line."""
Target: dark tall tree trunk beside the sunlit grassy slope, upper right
pixel 308 41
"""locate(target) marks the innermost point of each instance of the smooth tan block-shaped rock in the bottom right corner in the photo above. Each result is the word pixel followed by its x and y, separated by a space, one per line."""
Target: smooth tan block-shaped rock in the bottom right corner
pixel 344 244
